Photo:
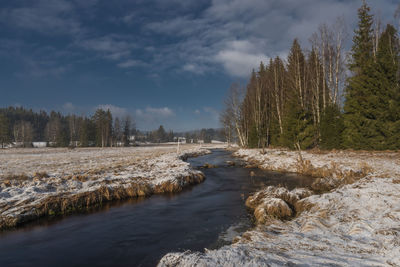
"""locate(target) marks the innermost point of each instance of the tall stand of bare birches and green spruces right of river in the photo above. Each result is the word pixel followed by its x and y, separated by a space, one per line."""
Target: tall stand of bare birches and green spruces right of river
pixel 297 102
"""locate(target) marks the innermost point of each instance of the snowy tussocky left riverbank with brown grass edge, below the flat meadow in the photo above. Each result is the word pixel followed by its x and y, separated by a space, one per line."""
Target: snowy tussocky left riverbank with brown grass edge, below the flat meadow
pixel 31 197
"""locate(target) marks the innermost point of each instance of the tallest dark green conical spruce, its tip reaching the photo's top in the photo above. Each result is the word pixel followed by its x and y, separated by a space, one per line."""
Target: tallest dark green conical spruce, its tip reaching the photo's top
pixel 362 127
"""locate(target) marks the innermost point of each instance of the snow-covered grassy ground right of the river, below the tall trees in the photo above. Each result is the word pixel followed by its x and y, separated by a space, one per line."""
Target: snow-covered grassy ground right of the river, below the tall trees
pixel 356 224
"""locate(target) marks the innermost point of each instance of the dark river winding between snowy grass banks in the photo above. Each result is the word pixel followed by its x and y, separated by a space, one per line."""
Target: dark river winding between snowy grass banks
pixel 139 232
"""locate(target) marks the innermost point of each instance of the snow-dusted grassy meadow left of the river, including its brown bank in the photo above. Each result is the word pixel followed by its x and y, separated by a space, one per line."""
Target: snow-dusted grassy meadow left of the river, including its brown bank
pixel 45 181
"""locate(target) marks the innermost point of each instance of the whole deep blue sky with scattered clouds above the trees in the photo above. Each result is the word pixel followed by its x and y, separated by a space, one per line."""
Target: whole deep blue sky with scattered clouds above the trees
pixel 162 62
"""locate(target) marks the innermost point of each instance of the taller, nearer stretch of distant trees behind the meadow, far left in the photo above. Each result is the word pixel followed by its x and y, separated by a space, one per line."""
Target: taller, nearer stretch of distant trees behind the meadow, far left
pixel 23 127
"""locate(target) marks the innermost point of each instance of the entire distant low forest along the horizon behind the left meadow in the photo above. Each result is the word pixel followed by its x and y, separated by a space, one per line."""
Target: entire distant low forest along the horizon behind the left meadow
pixel 22 127
